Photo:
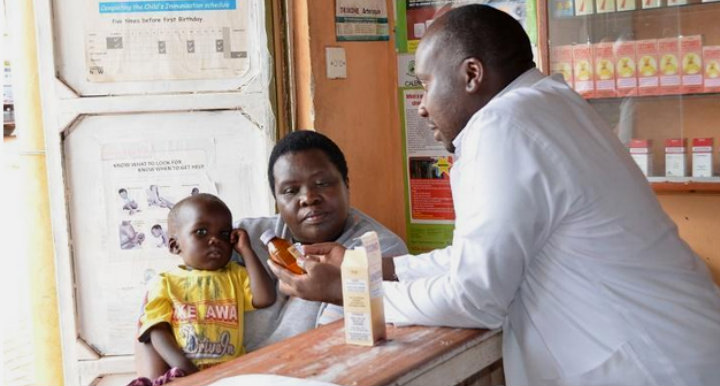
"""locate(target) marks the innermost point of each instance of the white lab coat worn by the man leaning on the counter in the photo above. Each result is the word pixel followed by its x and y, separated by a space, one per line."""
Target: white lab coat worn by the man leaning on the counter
pixel 560 241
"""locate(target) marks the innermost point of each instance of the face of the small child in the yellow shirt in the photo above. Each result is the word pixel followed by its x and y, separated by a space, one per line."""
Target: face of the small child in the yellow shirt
pixel 203 236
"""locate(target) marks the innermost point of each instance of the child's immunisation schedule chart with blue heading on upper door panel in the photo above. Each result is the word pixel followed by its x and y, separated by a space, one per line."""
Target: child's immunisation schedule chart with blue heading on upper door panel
pixel 165 40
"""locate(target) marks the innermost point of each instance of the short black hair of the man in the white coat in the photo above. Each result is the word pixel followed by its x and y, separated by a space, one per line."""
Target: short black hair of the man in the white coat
pixel 486 33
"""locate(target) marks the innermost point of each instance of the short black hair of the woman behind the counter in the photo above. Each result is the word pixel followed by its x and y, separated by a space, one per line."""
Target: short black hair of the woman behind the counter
pixel 303 140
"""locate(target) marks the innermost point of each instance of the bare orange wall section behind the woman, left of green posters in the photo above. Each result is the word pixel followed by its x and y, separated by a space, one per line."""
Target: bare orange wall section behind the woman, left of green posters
pixel 360 113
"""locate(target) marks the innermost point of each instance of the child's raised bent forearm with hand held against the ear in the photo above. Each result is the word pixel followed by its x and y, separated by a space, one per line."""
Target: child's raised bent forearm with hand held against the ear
pixel 261 285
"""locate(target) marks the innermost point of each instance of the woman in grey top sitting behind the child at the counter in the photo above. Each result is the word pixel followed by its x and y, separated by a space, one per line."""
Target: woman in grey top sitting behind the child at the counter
pixel 308 177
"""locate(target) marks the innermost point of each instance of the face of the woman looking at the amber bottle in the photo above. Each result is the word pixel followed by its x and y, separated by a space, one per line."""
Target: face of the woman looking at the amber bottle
pixel 311 196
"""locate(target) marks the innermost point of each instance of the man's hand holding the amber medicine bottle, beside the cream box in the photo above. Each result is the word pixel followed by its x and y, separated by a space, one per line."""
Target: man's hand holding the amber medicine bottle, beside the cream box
pixel 322 281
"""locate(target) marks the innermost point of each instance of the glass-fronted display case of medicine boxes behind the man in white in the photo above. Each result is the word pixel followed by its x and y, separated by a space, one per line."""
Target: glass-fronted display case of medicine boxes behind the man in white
pixel 651 68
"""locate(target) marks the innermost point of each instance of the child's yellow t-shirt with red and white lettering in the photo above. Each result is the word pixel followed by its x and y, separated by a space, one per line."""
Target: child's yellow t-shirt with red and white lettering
pixel 204 308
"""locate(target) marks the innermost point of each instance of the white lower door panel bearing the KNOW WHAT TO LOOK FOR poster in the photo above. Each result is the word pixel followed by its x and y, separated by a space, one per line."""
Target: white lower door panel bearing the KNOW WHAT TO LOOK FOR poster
pixel 126 172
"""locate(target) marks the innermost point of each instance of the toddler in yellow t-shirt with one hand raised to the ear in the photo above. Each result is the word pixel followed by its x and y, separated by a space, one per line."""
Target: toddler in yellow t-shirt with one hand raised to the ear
pixel 193 315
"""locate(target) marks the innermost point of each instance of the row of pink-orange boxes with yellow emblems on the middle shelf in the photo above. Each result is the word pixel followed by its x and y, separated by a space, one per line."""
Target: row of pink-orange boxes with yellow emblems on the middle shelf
pixel 668 66
